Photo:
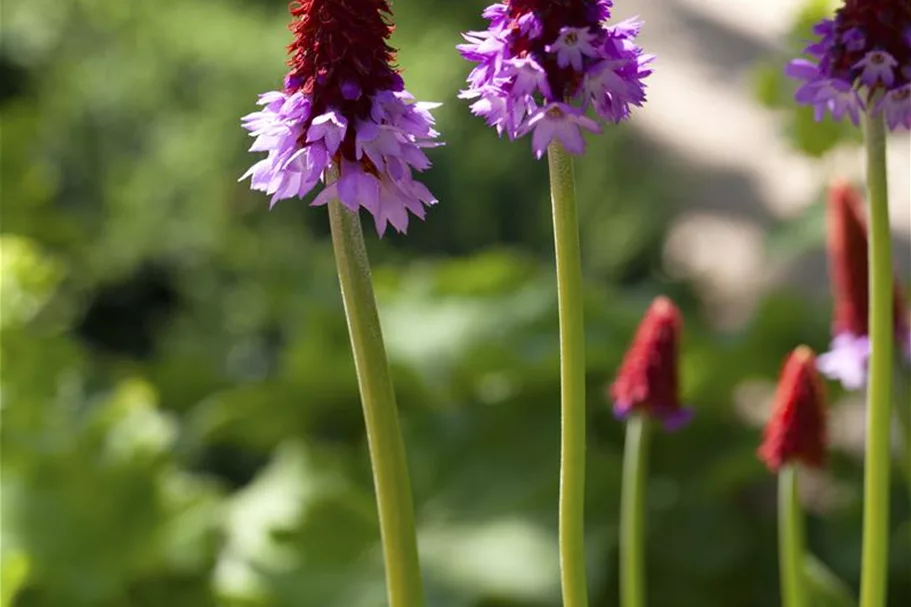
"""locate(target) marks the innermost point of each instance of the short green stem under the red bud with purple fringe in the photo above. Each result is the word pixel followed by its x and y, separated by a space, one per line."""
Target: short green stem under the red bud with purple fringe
pixel 632 512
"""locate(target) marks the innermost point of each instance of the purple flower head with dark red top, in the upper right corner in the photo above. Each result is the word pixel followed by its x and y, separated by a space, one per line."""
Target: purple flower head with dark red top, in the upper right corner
pixel 860 59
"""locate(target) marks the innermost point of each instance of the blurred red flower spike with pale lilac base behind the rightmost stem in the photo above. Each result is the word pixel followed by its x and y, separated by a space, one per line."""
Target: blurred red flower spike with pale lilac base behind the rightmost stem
pixel 847 243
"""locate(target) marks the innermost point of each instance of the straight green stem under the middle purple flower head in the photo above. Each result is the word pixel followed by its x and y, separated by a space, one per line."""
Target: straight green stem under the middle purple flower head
pixel 572 378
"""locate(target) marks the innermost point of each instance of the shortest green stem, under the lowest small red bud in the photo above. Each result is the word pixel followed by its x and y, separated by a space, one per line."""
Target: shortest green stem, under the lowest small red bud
pixel 790 539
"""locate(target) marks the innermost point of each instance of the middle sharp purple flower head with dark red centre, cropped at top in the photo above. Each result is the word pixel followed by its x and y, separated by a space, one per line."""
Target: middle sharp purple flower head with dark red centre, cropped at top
pixel 543 63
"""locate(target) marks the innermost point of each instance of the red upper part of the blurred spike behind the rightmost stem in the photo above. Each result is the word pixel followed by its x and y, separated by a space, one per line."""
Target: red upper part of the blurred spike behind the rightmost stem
pixel 848 264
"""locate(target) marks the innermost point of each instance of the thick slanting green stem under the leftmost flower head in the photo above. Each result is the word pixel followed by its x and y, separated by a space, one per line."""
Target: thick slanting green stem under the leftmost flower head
pixel 387 450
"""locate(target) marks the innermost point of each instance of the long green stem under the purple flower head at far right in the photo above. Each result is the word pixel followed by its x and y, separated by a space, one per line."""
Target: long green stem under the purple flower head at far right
pixel 875 565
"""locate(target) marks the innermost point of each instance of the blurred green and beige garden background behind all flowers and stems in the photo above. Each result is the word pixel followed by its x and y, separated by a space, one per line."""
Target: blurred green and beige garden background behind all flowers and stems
pixel 180 418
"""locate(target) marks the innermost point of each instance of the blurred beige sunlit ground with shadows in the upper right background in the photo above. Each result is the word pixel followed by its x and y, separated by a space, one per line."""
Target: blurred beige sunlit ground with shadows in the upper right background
pixel 701 107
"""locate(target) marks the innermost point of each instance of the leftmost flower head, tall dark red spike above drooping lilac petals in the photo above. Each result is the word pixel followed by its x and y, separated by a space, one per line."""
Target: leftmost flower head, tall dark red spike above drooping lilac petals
pixel 343 109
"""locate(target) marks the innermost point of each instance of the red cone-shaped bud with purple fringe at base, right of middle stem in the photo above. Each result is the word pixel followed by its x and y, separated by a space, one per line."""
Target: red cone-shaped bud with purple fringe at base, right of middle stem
pixel 647 380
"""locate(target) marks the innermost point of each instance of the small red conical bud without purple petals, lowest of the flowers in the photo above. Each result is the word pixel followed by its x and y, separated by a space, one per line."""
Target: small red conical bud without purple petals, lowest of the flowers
pixel 796 431
